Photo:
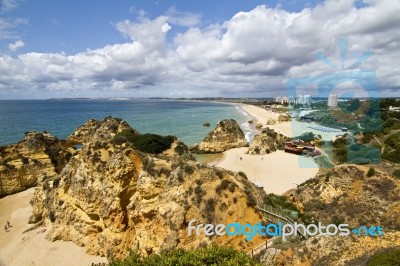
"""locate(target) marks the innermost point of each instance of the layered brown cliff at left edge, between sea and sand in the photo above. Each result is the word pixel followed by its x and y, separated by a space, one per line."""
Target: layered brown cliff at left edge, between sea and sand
pixel 38 156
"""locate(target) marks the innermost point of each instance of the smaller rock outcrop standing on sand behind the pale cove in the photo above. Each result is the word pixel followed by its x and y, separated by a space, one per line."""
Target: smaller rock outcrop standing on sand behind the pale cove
pixel 266 142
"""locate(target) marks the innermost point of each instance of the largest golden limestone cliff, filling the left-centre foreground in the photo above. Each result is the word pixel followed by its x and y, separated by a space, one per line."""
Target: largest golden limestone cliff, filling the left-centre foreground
pixel 111 198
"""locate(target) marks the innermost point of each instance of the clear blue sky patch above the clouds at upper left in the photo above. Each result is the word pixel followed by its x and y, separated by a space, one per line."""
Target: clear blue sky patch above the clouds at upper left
pixel 74 26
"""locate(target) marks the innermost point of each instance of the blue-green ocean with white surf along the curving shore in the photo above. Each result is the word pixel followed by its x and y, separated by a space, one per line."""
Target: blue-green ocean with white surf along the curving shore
pixel 183 119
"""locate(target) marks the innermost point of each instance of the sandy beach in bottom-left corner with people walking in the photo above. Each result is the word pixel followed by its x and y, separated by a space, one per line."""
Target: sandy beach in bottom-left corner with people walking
pixel 31 248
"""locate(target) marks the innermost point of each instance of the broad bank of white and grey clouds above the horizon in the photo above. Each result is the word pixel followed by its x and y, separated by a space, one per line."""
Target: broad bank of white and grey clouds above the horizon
pixel 252 54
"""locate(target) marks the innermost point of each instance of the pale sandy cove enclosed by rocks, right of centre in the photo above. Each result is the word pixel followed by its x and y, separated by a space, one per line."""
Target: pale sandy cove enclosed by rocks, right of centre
pixel 275 172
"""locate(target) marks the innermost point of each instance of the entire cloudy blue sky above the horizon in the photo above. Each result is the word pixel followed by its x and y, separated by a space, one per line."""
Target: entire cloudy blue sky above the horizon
pixel 243 48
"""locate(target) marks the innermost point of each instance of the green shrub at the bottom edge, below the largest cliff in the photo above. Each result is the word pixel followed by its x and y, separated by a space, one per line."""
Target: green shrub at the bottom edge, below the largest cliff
pixel 211 255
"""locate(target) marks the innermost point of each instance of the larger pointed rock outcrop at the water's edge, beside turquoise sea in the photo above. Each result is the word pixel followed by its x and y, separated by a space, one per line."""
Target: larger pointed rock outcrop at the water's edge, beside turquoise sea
pixel 226 135
